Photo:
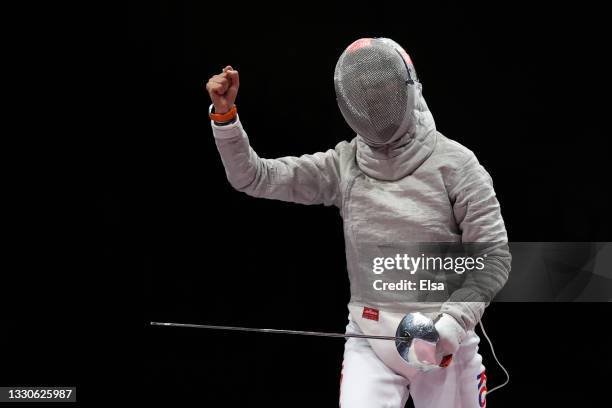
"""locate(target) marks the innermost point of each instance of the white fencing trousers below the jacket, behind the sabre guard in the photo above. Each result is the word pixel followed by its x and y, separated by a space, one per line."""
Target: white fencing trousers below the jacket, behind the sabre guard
pixel 366 382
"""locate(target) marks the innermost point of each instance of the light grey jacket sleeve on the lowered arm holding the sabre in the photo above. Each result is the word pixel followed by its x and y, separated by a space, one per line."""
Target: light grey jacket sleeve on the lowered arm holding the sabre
pixel 477 213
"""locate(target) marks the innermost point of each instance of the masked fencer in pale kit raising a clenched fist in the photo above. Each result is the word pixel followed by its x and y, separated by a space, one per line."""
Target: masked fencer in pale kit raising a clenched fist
pixel 397 180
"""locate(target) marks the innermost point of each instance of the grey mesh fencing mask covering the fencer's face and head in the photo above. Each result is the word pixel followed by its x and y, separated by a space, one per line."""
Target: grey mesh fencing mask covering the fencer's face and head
pixel 376 89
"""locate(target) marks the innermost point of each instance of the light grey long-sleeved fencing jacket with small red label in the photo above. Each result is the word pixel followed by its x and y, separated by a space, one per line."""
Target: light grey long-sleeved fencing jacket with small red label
pixel 423 187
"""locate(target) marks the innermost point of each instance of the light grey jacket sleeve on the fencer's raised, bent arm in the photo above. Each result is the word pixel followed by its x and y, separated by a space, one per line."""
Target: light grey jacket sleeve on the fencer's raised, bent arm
pixel 308 179
